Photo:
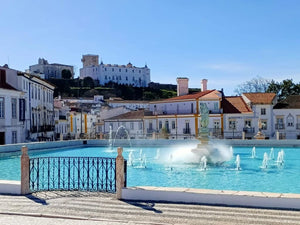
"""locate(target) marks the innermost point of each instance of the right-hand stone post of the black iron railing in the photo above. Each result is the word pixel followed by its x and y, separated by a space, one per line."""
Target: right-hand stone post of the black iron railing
pixel 119 173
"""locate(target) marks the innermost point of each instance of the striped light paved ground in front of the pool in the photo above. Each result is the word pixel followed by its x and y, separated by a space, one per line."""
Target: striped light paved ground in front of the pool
pixel 98 208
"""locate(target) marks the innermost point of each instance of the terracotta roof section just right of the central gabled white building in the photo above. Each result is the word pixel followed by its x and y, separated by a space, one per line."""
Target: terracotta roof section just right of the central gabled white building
pixel 235 104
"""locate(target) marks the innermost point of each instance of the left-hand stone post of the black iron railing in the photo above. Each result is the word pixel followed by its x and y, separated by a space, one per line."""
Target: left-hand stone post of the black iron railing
pixel 25 171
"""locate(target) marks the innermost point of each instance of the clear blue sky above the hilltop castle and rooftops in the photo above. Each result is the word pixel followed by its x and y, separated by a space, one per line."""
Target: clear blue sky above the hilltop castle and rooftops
pixel 227 42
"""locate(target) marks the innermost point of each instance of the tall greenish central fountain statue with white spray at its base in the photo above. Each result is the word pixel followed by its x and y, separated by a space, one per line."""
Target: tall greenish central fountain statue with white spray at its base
pixel 213 153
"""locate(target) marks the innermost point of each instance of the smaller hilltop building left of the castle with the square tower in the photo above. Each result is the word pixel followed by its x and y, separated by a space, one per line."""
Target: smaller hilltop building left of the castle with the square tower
pixel 52 70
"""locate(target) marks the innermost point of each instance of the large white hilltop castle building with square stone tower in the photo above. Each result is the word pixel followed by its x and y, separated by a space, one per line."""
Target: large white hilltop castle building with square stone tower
pixel 121 74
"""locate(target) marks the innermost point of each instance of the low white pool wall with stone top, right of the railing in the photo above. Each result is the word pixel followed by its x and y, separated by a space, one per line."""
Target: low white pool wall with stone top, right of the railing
pixel 213 197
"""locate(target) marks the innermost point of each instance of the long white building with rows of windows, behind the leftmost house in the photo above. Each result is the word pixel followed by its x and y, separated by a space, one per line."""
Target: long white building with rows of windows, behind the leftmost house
pixel 38 100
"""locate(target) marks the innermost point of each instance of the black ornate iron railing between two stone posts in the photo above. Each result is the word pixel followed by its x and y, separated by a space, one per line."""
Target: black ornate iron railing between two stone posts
pixel 73 173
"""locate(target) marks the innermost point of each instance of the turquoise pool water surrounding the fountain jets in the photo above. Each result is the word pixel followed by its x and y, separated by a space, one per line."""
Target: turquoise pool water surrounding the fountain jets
pixel 163 168
